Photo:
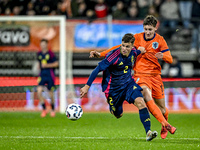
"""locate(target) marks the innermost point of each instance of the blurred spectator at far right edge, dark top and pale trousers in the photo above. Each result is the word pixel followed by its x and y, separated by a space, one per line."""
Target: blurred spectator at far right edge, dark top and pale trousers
pixel 195 44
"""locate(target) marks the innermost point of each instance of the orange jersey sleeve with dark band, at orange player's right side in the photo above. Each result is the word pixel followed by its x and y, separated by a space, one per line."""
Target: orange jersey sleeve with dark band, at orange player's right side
pixel 167 57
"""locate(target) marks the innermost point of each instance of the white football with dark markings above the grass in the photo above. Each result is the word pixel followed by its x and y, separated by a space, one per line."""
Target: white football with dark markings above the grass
pixel 74 111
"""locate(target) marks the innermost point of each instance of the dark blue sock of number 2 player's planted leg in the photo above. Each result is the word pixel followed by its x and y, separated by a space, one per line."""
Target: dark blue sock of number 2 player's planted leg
pixel 145 119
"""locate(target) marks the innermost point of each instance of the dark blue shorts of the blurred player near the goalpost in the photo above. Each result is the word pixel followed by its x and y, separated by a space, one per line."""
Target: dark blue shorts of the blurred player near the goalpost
pixel 46 80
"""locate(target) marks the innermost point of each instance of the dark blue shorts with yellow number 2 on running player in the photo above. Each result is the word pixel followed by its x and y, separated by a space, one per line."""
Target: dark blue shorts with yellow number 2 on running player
pixel 116 99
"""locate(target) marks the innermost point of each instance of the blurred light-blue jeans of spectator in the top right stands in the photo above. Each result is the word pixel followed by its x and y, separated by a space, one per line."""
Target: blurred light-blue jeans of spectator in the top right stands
pixel 185 7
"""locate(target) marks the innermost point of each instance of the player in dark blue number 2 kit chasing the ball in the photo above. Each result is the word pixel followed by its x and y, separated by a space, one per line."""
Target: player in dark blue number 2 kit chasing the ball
pixel 118 84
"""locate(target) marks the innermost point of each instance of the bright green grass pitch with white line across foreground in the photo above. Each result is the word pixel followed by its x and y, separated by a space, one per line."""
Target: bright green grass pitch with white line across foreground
pixel 97 131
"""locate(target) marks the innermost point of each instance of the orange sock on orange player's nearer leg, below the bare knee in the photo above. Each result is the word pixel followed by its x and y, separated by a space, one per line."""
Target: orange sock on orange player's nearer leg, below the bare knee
pixel 155 111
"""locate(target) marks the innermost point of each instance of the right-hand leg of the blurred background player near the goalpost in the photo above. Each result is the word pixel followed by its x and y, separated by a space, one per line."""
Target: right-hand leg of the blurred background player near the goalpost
pixel 51 88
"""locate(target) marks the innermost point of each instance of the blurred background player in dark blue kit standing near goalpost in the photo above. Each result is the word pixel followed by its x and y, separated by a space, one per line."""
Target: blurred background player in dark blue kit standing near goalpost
pixel 48 63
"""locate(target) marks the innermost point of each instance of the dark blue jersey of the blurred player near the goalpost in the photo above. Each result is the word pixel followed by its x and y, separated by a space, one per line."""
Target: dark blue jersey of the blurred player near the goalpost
pixel 48 57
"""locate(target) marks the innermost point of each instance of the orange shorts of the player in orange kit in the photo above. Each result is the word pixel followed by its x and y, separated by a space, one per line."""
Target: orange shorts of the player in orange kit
pixel 154 83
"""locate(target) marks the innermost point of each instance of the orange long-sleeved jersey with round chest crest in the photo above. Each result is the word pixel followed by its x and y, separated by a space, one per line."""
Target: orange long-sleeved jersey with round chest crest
pixel 147 63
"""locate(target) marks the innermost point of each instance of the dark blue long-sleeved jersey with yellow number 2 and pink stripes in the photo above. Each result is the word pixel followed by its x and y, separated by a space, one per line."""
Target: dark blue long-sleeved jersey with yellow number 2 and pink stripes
pixel 117 70
